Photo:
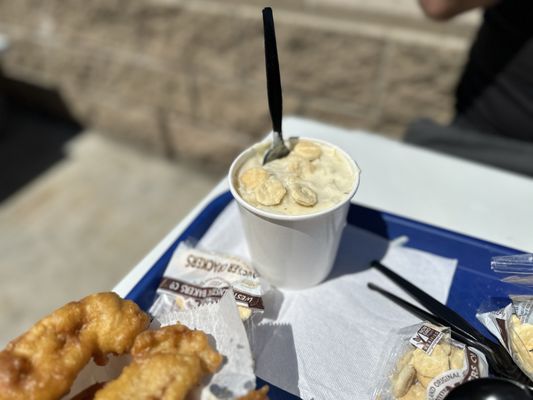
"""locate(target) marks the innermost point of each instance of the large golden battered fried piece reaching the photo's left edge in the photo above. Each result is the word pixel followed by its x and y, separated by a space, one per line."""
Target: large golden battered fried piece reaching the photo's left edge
pixel 43 363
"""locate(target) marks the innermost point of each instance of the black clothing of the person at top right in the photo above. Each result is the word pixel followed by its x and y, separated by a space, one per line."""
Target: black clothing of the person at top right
pixel 495 92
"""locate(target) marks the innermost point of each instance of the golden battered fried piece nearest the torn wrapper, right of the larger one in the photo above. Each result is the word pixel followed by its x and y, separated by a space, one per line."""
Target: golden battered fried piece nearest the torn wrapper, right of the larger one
pixel 167 364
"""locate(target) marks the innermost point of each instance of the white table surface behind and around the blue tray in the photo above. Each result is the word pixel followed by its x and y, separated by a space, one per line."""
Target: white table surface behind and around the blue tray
pixel 451 193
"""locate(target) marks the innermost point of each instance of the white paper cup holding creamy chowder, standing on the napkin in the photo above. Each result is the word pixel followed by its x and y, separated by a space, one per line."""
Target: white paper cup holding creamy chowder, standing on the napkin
pixel 292 252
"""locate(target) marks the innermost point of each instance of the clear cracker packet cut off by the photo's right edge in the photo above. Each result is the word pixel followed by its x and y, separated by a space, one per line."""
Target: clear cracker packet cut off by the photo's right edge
pixel 513 327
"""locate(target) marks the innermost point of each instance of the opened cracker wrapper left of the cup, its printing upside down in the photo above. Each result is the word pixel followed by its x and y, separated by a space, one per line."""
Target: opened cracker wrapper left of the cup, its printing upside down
pixel 195 277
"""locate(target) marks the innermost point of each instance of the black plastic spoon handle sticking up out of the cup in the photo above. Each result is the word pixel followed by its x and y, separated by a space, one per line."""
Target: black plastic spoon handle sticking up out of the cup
pixel 275 101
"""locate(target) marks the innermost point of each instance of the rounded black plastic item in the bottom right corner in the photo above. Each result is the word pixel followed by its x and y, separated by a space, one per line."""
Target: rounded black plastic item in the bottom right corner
pixel 490 389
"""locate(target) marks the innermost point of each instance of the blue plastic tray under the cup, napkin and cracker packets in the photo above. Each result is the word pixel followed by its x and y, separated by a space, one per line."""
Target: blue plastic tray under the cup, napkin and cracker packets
pixel 473 282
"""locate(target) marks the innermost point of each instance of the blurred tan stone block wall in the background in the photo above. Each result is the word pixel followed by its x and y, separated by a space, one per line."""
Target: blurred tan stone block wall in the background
pixel 185 78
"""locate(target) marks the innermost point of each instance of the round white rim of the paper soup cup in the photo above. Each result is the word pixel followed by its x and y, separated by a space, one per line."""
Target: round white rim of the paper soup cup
pixel 236 164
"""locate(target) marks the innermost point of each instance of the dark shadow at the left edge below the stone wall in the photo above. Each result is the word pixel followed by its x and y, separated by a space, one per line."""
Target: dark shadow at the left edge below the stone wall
pixel 35 124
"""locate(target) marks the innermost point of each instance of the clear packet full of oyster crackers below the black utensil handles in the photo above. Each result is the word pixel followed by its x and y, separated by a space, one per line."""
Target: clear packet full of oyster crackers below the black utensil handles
pixel 424 362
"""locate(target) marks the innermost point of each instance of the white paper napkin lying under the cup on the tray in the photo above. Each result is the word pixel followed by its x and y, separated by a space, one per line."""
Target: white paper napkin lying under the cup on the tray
pixel 326 342
